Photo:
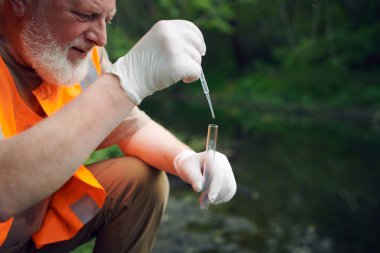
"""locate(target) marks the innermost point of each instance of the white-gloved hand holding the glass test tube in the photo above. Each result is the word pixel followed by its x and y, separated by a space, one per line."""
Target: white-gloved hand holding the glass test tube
pixel 188 166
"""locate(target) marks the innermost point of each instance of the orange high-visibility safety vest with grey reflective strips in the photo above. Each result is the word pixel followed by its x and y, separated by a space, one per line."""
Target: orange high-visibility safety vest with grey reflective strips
pixel 80 198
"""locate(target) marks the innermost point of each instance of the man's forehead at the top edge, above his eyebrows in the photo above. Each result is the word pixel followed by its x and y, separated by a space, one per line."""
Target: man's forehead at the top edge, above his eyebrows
pixel 97 6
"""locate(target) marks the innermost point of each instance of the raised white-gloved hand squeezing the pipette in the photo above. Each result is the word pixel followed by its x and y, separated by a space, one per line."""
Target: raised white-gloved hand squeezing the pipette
pixel 169 52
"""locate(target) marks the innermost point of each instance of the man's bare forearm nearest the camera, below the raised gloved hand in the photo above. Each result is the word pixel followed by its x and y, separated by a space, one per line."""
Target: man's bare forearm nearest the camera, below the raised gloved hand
pixel 38 161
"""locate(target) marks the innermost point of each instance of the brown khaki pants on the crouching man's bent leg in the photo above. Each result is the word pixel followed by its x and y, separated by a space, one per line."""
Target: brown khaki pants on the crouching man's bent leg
pixel 129 221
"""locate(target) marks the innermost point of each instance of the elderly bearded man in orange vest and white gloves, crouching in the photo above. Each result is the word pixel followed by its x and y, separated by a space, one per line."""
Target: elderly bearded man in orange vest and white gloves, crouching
pixel 61 99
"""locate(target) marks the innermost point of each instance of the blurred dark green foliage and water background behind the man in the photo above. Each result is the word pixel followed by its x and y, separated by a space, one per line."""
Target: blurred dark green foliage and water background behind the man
pixel 296 91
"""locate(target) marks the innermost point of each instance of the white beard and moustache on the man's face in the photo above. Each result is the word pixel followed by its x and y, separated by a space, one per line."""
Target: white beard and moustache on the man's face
pixel 49 59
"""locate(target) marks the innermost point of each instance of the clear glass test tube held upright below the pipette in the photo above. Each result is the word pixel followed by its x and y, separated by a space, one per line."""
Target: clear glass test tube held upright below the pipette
pixel 212 135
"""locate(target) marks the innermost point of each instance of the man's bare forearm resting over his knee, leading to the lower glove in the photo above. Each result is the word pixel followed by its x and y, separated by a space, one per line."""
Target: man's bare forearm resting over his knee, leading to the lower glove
pixel 154 145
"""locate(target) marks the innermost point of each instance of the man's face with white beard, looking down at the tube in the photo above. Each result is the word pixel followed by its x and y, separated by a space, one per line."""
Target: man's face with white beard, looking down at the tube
pixel 59 35
